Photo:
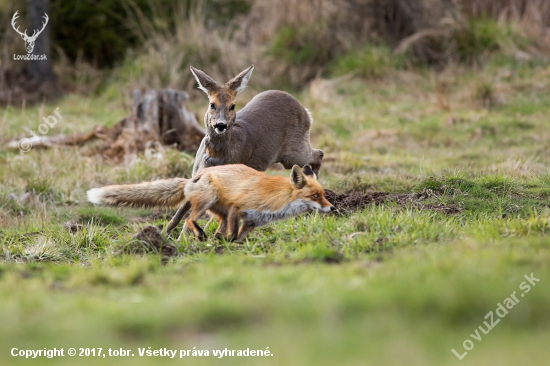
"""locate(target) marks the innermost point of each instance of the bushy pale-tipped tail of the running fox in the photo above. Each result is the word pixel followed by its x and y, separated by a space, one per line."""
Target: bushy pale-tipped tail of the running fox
pixel 160 193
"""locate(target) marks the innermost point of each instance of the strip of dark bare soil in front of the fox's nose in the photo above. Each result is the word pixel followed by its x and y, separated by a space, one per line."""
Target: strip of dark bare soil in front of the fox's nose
pixel 349 202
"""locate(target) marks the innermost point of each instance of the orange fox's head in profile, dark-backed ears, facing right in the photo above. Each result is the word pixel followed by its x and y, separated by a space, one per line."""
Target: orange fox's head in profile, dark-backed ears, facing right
pixel 308 189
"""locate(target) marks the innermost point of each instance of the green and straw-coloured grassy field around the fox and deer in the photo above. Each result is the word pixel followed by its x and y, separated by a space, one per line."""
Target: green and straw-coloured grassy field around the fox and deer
pixel 402 282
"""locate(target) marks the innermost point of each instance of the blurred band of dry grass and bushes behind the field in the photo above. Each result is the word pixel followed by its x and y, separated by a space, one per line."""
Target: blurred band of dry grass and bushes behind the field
pixel 151 43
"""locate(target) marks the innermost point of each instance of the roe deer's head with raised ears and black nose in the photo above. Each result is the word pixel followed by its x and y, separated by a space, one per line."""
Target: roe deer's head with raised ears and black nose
pixel 220 115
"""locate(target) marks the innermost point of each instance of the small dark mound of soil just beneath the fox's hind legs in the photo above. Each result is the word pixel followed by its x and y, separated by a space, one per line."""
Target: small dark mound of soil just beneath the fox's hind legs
pixel 150 240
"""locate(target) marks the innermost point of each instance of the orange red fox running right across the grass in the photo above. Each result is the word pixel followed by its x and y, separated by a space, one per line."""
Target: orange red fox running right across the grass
pixel 229 192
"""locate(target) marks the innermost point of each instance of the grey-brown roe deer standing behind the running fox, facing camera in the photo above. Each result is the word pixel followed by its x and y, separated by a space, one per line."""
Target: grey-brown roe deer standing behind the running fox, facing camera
pixel 272 128
